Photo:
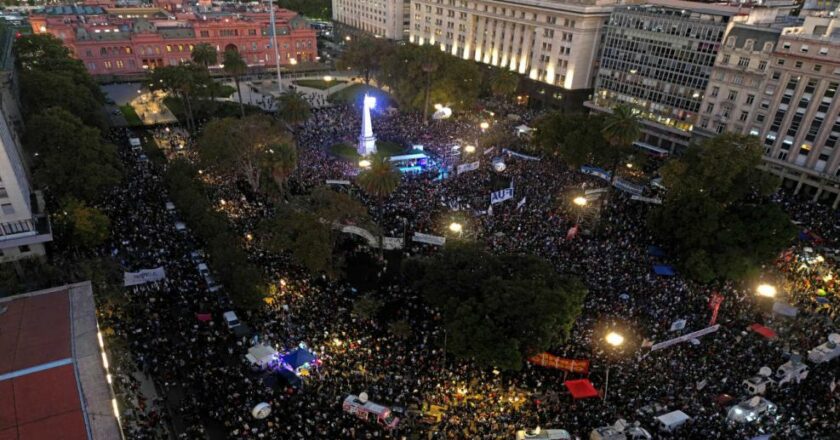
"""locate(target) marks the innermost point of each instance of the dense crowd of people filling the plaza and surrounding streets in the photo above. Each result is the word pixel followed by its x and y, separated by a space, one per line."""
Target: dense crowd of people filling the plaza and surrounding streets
pixel 210 388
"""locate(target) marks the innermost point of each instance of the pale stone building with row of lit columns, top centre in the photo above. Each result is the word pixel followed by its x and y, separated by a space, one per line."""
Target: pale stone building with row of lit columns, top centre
pixel 552 42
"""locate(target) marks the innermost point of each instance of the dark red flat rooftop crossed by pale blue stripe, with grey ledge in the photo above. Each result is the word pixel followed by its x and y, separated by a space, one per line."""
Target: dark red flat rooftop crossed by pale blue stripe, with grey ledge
pixel 51 363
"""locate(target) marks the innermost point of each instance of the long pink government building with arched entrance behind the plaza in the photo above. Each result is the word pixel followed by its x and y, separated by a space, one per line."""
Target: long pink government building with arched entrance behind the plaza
pixel 128 40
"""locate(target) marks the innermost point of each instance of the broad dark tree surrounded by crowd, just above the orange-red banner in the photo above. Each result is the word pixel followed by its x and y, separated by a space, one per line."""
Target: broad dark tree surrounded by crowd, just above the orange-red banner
pixel 497 309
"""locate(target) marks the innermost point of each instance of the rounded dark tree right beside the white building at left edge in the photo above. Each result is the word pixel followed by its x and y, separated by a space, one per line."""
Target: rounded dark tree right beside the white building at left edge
pixel 69 157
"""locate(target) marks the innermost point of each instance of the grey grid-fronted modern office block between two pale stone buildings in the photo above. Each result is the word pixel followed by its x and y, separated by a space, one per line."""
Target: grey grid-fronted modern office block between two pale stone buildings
pixel 658 58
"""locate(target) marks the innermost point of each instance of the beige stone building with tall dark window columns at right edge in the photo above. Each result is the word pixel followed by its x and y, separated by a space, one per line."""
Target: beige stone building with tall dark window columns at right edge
pixel 798 113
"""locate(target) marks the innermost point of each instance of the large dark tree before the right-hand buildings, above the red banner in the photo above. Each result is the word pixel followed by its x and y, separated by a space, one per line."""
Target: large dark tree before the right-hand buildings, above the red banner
pixel 715 217
